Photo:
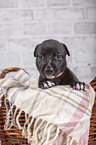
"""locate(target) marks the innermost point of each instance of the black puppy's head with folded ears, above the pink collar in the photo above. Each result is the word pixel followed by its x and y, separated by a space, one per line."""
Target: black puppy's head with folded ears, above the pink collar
pixel 51 58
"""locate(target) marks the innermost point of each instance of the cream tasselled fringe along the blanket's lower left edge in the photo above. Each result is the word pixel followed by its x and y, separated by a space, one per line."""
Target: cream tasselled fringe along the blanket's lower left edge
pixel 42 133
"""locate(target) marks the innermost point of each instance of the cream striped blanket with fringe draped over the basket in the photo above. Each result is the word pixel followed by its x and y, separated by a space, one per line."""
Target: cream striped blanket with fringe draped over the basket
pixel 61 115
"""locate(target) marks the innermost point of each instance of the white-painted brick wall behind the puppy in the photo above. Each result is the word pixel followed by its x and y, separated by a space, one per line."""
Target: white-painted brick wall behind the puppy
pixel 25 23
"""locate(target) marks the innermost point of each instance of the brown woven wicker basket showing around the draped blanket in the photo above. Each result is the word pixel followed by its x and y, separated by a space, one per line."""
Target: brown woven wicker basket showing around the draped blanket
pixel 14 137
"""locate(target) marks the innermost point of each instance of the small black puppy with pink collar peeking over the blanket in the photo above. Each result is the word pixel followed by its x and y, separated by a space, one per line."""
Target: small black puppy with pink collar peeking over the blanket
pixel 51 63
